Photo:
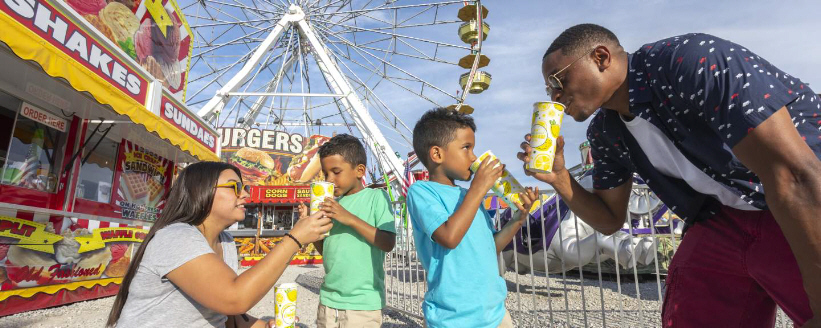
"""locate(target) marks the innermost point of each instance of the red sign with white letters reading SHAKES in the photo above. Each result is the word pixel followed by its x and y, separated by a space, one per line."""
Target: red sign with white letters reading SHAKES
pixel 43 18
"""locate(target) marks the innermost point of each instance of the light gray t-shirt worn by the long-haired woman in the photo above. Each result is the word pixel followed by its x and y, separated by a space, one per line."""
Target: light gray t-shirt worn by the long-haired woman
pixel 153 300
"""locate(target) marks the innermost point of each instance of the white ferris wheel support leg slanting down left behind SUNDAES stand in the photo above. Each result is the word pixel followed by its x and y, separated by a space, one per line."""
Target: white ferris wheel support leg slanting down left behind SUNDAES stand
pixel 214 106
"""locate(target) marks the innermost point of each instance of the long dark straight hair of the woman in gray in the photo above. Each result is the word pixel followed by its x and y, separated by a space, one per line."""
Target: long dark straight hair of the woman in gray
pixel 189 201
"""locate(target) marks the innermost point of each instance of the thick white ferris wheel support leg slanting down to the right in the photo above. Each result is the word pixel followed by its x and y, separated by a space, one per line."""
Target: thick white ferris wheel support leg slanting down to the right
pixel 354 106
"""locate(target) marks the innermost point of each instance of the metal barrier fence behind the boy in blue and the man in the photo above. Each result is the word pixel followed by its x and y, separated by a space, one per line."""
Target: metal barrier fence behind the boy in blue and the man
pixel 562 273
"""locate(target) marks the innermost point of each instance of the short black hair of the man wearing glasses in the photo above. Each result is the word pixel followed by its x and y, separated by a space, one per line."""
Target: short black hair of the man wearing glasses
pixel 582 37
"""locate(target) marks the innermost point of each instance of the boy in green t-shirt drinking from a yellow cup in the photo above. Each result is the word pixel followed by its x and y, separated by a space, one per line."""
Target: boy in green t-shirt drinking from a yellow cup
pixel 353 292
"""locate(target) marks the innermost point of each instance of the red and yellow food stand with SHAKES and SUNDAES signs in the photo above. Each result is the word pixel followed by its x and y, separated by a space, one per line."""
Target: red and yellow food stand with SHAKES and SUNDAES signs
pixel 92 131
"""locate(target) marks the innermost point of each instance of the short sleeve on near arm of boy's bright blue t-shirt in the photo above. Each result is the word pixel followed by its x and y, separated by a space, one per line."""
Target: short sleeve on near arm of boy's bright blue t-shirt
pixel 426 210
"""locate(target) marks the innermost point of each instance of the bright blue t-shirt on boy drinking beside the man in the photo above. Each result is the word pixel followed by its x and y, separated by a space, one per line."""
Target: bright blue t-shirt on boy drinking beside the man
pixel 464 286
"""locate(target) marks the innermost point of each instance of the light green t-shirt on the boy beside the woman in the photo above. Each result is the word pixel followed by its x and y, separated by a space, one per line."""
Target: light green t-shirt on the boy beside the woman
pixel 354 273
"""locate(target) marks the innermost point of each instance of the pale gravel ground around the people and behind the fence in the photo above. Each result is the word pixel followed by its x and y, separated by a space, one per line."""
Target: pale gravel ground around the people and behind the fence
pixel 556 307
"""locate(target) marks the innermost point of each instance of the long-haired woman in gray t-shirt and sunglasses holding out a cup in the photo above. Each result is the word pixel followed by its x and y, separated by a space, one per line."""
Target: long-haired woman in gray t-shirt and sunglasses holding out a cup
pixel 185 272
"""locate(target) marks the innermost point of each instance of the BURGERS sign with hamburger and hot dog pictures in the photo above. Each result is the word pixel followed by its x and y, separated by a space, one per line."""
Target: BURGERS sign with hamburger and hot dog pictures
pixel 273 158
